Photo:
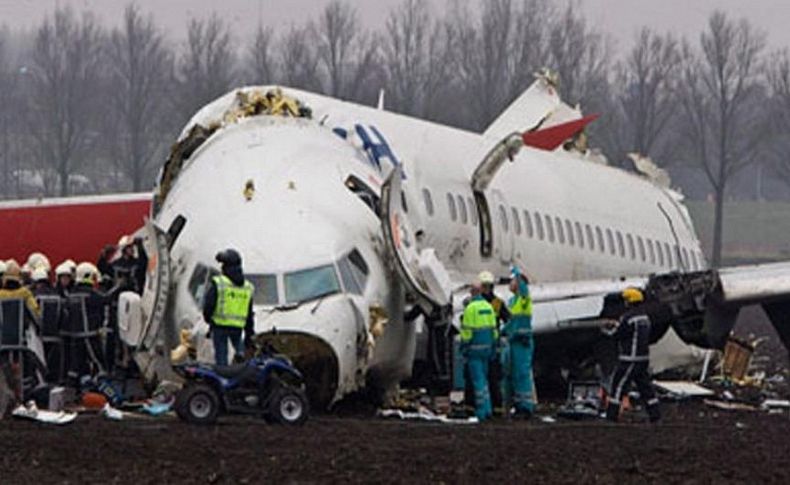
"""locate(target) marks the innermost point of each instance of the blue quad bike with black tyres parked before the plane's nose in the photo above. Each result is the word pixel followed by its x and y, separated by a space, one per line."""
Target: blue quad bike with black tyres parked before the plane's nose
pixel 267 385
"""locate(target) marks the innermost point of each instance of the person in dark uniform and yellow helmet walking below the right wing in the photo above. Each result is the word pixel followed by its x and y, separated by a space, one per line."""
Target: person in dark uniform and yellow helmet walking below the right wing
pixel 632 333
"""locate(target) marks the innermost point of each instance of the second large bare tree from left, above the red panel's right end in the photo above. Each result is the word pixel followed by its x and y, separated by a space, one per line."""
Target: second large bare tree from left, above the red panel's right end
pixel 141 67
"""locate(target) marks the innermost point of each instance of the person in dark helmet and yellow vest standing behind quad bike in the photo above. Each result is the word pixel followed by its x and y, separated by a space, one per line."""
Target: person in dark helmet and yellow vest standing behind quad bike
pixel 227 307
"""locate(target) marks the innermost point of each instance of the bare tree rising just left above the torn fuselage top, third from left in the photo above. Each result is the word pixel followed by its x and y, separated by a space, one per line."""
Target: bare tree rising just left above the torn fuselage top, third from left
pixel 207 68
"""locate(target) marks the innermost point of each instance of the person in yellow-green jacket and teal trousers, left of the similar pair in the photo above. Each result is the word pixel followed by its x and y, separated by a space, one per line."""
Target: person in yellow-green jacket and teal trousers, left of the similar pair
pixel 478 339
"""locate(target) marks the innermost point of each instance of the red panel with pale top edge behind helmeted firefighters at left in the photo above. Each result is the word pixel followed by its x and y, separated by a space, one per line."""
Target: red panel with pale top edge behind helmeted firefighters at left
pixel 68 229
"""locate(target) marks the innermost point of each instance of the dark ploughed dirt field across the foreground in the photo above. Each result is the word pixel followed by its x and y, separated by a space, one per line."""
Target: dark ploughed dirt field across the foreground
pixel 694 444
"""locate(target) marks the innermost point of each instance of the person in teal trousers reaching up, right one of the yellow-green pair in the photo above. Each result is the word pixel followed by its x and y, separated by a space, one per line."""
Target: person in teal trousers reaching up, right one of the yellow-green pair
pixel 521 344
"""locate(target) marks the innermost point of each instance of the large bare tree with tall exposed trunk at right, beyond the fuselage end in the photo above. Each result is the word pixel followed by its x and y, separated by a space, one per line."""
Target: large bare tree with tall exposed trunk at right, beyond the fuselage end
pixel 722 92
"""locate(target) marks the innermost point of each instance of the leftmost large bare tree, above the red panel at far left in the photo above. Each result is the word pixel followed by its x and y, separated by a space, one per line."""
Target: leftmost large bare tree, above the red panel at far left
pixel 64 79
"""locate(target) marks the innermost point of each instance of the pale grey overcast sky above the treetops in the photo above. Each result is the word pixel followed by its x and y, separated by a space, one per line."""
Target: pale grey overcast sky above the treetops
pixel 620 18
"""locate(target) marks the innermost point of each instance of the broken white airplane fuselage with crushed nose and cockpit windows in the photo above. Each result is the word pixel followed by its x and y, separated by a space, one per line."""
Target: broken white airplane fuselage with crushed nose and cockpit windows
pixel 301 200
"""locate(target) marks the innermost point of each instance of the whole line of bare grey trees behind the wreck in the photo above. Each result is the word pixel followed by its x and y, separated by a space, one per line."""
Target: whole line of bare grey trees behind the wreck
pixel 84 108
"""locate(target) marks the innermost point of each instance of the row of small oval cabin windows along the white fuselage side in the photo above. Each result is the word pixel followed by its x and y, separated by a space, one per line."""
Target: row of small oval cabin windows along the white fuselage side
pixel 554 229
